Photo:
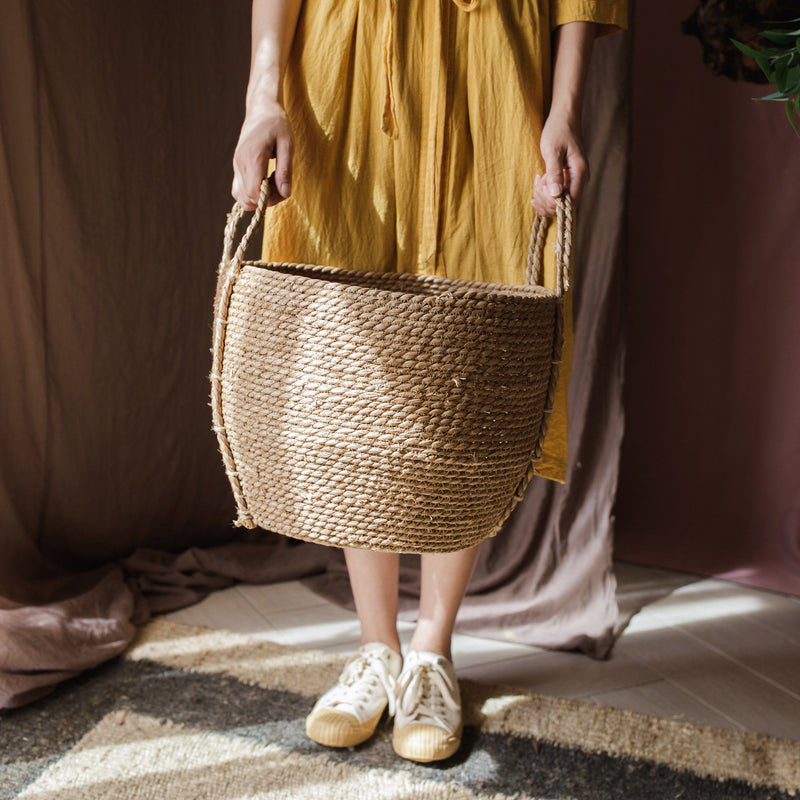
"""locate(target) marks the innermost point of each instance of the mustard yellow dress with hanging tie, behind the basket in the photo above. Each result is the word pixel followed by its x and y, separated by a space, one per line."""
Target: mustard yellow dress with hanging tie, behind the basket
pixel 417 127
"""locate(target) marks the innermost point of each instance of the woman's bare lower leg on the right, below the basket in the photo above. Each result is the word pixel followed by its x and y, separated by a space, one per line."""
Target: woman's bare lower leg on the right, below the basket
pixel 444 580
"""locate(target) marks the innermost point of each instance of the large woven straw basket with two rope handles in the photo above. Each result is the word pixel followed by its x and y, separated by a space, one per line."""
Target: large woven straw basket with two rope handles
pixel 385 411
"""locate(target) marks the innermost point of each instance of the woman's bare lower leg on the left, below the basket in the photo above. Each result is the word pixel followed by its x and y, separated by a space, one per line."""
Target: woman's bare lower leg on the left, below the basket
pixel 374 581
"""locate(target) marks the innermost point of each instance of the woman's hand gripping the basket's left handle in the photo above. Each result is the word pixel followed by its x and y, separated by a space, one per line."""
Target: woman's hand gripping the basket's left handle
pixel 265 134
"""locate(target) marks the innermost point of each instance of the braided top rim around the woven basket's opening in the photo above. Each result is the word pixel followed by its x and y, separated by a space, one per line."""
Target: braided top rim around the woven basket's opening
pixel 449 288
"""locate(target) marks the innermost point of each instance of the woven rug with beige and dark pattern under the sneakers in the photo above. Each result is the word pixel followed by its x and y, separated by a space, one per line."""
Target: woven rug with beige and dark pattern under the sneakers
pixel 195 714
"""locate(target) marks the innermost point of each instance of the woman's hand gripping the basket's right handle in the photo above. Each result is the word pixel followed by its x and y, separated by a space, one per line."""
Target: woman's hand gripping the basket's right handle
pixel 565 163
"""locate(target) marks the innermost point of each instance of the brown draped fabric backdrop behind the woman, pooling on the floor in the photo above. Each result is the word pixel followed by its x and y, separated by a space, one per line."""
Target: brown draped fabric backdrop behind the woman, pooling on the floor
pixel 117 127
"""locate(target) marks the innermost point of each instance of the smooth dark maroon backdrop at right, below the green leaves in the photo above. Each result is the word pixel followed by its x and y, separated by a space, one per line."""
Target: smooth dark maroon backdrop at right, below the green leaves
pixel 710 476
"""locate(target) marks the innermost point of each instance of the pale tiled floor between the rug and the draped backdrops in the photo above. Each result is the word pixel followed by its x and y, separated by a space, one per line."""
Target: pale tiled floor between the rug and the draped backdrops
pixel 710 652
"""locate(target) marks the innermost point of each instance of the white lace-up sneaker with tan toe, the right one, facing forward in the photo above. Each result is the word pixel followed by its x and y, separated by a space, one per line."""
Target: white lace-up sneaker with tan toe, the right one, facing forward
pixel 427 723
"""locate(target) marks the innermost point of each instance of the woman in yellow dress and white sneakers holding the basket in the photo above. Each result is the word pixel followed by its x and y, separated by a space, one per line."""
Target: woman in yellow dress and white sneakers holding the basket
pixel 406 137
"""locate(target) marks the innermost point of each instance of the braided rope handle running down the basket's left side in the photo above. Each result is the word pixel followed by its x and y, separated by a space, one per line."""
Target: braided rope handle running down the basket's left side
pixel 229 269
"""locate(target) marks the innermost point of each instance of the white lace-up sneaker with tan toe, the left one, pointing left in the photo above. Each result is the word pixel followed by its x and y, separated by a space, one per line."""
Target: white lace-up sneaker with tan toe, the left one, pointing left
pixel 348 714
